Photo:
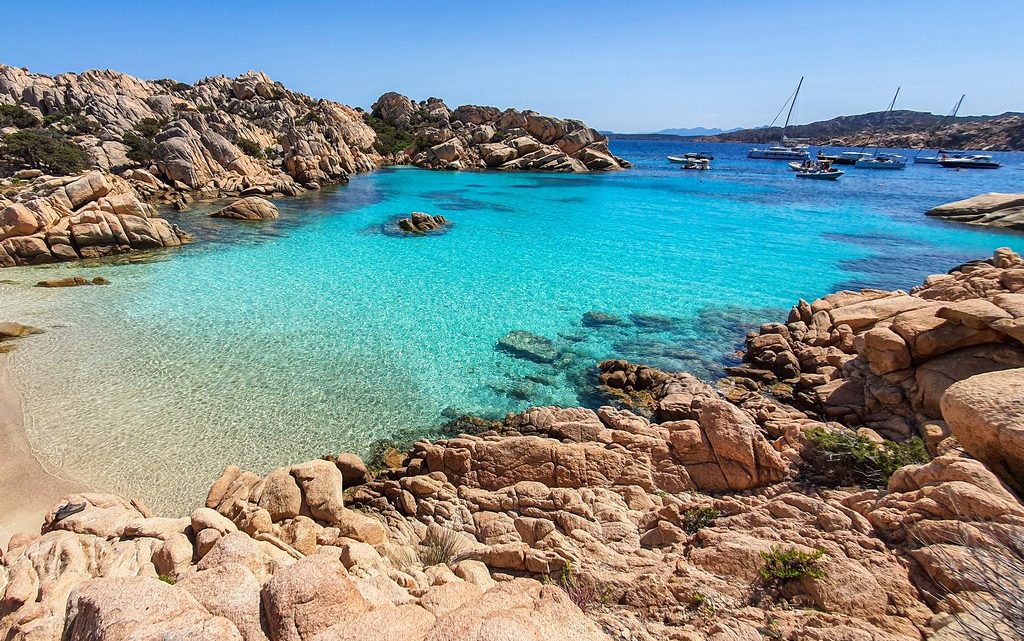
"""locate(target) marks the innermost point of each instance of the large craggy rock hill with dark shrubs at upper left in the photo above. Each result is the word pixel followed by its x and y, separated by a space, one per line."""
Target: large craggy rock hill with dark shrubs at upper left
pixel 222 137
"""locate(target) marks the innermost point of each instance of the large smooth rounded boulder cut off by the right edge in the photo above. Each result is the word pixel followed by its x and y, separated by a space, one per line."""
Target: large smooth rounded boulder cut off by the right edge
pixel 986 413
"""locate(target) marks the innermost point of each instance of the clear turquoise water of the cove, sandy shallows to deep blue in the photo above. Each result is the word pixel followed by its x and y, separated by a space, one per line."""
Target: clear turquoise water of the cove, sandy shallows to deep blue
pixel 268 344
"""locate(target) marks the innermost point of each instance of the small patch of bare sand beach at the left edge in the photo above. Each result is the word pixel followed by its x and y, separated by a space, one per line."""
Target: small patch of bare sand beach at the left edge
pixel 29 491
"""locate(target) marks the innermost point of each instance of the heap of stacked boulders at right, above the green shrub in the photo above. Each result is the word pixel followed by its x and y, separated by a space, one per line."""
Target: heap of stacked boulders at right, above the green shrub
pixel 884 360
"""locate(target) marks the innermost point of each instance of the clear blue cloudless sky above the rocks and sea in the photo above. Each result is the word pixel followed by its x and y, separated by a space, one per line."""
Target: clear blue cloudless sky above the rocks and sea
pixel 623 66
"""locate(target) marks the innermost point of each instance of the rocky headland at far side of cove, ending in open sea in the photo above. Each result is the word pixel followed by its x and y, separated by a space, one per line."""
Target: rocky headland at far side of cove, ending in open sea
pixel 479 138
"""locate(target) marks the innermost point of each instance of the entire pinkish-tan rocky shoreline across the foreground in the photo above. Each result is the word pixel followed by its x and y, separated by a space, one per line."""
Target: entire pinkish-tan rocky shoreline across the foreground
pixel 787 501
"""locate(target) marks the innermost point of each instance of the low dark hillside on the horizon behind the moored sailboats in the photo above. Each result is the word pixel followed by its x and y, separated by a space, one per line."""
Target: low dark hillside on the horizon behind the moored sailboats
pixel 899 130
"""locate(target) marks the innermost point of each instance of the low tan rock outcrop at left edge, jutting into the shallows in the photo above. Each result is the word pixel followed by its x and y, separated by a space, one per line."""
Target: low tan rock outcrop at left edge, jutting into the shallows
pixel 89 217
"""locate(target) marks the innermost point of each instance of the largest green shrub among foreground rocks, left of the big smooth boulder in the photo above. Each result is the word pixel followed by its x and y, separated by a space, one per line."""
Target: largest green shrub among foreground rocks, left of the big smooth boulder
pixel 845 457
